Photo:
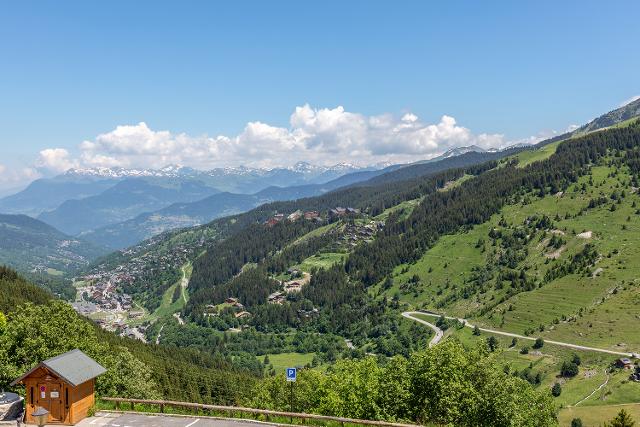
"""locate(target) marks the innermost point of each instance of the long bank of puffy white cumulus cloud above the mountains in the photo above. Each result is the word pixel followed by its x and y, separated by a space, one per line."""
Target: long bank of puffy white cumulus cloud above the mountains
pixel 321 136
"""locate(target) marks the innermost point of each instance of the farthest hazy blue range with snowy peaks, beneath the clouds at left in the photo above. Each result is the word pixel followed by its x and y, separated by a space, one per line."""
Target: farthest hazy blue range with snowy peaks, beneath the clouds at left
pixel 47 195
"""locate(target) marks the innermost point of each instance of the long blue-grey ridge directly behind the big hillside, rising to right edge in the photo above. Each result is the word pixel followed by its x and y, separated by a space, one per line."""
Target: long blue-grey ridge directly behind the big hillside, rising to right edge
pixel 189 214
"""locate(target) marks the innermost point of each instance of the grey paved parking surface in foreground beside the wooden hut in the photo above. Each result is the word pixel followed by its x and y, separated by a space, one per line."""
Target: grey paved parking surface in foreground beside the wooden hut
pixel 103 419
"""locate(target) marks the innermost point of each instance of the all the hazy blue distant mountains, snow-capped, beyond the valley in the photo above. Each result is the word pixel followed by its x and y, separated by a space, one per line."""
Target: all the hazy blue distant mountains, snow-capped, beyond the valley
pixel 117 207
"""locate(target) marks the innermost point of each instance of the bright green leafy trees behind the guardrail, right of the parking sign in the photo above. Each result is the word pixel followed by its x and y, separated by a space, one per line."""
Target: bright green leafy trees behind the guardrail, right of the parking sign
pixel 446 384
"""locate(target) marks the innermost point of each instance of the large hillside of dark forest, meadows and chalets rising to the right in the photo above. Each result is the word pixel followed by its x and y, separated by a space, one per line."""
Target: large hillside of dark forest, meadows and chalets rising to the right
pixel 538 244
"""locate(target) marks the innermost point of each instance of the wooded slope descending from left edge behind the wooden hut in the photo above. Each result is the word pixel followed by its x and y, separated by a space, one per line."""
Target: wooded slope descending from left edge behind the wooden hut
pixel 134 369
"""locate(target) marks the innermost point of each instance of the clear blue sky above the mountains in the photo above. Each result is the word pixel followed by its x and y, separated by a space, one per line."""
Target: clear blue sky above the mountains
pixel 71 71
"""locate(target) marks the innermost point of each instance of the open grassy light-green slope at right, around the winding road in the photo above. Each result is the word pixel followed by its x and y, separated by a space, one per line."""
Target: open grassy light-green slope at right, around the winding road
pixel 598 306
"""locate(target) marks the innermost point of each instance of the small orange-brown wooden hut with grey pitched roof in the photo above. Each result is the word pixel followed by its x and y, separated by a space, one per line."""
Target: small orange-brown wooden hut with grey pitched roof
pixel 64 385
